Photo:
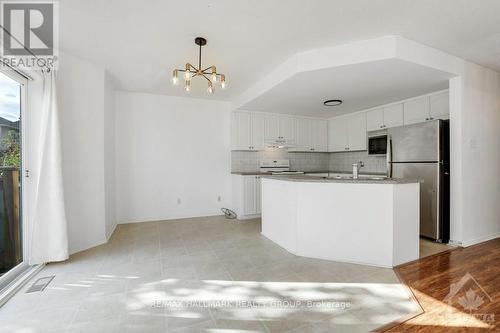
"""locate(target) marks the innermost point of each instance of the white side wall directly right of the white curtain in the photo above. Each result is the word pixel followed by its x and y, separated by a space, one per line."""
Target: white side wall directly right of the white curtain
pixel 80 87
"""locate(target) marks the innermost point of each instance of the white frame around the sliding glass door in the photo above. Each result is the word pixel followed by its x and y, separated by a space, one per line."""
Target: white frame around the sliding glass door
pixel 17 271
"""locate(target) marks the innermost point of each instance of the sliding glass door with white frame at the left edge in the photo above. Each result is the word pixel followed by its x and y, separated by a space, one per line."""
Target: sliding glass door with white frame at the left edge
pixel 12 226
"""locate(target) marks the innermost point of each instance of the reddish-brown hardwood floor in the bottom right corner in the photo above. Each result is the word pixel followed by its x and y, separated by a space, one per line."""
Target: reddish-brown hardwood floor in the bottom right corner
pixel 459 290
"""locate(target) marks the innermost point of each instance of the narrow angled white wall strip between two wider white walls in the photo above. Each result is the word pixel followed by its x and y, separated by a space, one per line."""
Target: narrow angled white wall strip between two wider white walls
pixel 109 155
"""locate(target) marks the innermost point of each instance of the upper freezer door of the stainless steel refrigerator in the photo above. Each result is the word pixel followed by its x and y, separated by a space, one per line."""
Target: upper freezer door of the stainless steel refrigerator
pixel 415 143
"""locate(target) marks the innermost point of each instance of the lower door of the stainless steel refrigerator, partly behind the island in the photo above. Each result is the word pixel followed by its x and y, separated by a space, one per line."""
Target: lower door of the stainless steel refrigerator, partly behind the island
pixel 429 173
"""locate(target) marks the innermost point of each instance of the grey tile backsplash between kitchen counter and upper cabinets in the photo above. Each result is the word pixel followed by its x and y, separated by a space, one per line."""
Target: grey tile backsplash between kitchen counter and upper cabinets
pixel 245 161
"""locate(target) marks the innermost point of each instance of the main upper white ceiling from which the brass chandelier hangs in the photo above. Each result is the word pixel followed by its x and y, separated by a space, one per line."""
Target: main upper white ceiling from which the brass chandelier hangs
pixel 140 42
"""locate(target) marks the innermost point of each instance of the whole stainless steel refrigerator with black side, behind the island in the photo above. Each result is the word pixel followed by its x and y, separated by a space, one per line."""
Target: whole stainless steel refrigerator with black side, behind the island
pixel 422 151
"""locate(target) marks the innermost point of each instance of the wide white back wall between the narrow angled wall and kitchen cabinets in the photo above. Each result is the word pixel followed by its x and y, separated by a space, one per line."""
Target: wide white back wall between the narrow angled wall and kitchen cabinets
pixel 170 148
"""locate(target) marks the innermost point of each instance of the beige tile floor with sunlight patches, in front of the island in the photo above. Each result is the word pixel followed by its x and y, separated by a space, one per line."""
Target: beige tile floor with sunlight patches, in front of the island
pixel 205 275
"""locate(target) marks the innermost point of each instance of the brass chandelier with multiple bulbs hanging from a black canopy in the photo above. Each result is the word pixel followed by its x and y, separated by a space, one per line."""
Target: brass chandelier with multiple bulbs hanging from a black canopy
pixel 190 71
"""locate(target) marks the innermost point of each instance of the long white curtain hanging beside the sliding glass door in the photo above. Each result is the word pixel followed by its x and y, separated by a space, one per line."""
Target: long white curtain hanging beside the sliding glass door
pixel 48 228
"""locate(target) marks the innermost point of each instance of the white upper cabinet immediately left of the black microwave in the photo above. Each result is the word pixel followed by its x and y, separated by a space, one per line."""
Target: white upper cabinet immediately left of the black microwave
pixel 347 133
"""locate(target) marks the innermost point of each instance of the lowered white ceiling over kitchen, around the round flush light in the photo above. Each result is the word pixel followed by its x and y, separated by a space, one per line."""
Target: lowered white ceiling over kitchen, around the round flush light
pixel 359 86
